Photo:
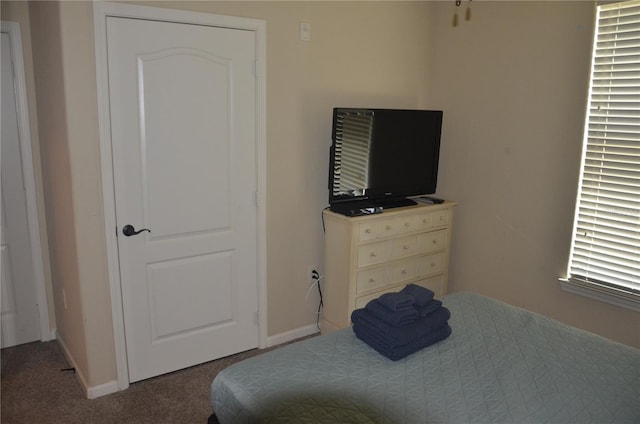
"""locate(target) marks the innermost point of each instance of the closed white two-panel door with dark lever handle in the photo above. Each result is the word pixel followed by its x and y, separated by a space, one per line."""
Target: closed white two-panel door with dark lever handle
pixel 183 126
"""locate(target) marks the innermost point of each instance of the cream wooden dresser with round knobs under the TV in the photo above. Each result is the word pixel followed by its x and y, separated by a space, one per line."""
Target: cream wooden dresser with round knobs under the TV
pixel 367 256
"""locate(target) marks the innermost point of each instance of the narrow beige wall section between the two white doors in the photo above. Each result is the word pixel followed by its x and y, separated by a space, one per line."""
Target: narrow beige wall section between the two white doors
pixel 62 37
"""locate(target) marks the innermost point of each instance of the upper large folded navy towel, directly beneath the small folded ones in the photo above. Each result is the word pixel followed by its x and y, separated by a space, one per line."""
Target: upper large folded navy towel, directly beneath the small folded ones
pixel 398 336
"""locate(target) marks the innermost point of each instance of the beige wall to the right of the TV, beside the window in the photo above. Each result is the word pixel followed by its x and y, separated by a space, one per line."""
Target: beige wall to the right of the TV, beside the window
pixel 513 83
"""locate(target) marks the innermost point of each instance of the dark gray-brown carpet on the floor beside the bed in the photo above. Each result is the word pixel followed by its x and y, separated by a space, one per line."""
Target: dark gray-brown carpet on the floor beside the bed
pixel 35 390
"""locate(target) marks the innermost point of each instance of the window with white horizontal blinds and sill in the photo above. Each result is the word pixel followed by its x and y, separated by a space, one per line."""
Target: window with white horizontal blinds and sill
pixel 605 252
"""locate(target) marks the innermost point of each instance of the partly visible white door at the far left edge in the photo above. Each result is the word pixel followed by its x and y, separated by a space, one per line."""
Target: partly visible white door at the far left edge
pixel 19 306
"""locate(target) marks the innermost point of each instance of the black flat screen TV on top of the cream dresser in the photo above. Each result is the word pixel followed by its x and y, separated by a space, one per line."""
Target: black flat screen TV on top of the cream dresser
pixel 380 157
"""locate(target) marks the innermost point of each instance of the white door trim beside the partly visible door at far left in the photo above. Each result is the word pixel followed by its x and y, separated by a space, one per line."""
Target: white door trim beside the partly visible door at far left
pixel 24 131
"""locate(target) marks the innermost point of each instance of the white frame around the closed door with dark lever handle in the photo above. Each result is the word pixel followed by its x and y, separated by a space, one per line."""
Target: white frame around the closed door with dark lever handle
pixel 102 10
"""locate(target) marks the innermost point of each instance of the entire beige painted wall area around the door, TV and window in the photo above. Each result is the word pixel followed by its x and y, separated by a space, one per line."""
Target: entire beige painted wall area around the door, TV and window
pixel 513 97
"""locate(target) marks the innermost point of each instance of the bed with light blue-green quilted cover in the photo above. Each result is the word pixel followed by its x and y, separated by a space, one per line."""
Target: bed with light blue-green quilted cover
pixel 501 364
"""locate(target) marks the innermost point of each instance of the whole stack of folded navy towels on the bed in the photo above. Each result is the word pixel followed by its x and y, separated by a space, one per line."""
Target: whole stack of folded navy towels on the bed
pixel 399 324
